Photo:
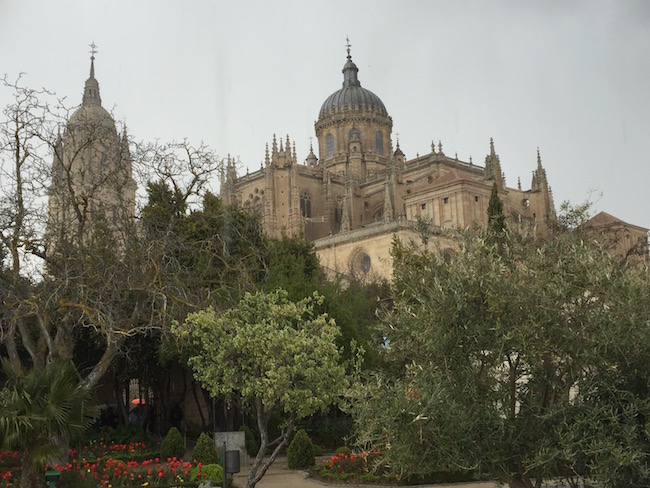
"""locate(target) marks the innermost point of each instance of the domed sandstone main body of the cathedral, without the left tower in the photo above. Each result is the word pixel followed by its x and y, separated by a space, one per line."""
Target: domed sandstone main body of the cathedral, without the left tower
pixel 361 190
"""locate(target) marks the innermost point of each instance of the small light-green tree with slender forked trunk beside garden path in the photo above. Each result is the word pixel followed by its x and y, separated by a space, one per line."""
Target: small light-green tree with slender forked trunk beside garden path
pixel 279 355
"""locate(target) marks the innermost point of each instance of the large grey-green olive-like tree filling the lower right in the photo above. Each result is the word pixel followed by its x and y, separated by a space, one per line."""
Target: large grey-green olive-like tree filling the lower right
pixel 521 359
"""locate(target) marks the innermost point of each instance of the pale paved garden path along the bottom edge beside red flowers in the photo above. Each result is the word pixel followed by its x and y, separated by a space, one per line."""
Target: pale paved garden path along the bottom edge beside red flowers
pixel 279 476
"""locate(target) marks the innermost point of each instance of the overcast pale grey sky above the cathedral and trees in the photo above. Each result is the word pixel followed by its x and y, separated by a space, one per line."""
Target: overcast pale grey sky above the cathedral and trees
pixel 569 77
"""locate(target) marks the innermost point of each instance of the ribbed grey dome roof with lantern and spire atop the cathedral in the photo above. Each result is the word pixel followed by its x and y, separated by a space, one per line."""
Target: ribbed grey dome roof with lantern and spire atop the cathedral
pixel 352 96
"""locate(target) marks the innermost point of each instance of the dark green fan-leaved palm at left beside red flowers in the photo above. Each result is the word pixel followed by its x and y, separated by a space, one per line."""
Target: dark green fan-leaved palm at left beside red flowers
pixel 40 409
